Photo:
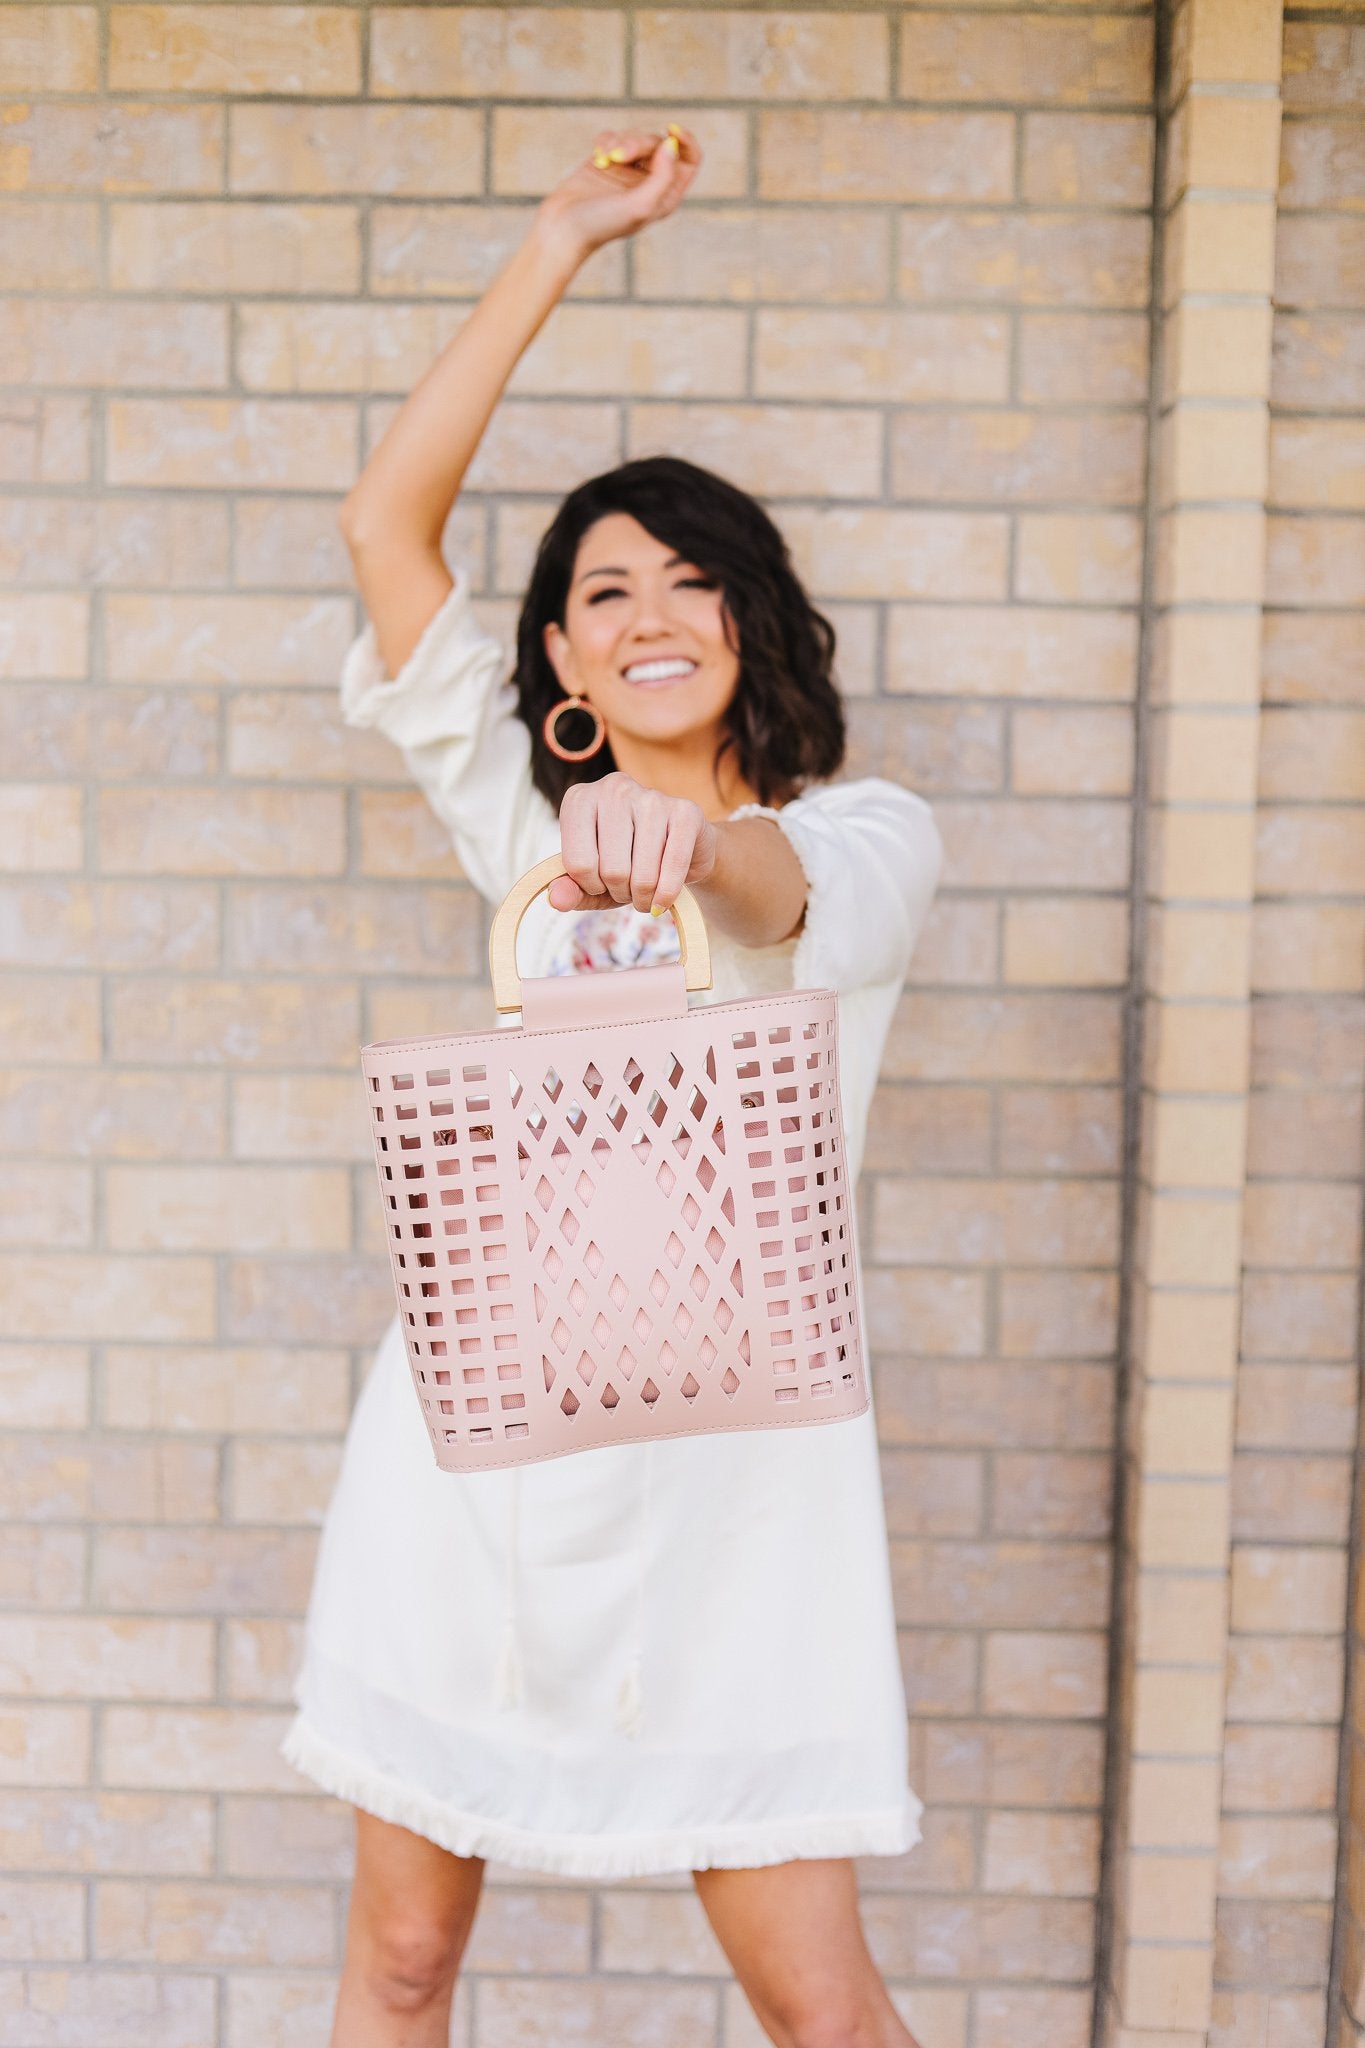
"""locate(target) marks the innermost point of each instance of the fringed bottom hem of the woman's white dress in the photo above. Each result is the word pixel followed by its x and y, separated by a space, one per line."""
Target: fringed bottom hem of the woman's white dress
pixel 887 1832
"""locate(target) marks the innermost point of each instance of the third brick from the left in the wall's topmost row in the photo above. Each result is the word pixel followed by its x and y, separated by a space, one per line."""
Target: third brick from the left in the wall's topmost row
pixel 464 52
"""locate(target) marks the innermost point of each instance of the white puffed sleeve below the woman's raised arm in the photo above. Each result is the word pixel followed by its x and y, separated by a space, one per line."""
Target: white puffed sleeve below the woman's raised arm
pixel 453 716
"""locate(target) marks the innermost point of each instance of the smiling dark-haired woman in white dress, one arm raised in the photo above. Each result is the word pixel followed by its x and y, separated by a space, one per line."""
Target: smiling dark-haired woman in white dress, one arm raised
pixel 642 1658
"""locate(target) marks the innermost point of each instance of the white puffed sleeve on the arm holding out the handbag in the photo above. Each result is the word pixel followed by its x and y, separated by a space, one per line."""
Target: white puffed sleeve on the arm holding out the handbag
pixel 873 857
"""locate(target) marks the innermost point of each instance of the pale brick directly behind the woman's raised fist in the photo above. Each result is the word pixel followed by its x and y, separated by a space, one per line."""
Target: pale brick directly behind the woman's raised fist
pixel 533 146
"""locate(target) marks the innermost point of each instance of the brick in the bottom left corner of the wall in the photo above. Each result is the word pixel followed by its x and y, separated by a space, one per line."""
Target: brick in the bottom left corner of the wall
pixel 105 2008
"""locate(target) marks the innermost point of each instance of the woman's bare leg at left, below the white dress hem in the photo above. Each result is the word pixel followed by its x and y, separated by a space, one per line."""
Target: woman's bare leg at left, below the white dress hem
pixel 412 1908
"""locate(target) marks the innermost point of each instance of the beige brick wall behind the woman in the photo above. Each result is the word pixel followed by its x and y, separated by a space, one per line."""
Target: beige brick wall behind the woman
pixel 910 306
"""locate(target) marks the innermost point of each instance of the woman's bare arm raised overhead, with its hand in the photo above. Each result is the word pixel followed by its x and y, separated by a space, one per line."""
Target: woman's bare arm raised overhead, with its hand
pixel 396 513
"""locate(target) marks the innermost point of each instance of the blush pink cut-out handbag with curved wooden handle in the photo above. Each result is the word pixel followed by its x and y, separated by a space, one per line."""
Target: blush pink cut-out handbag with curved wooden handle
pixel 627 1218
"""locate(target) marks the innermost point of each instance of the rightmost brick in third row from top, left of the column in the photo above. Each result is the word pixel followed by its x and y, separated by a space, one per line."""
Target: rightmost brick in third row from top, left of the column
pixel 1024 259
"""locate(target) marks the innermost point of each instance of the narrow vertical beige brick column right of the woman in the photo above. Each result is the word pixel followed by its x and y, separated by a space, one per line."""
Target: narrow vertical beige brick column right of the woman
pixel 1208 566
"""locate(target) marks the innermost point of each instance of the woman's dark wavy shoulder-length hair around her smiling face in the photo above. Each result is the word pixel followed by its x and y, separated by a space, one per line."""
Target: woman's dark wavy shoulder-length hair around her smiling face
pixel 787 718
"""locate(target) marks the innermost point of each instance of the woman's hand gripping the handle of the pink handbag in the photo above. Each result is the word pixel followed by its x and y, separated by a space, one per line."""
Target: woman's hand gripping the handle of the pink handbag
pixel 623 843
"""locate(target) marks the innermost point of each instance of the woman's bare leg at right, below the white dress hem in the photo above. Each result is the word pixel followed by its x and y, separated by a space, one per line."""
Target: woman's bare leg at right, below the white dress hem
pixel 797 1947
